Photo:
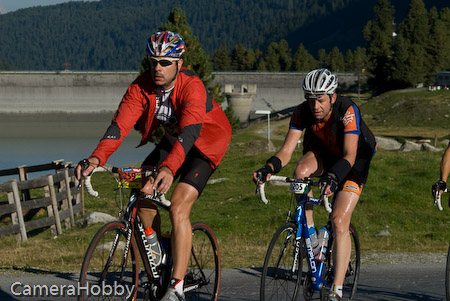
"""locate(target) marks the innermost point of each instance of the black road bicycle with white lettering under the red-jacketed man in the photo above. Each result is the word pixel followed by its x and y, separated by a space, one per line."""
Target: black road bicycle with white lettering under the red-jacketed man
pixel 111 261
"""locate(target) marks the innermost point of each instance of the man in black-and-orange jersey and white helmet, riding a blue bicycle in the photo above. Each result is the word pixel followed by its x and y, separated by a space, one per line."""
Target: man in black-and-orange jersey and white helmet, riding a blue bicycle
pixel 338 147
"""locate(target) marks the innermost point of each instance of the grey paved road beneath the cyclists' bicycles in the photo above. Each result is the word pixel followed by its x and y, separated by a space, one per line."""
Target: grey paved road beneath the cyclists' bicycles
pixel 417 281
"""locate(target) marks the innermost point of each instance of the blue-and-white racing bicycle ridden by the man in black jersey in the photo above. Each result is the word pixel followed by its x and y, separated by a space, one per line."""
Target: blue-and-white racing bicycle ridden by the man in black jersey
pixel 283 273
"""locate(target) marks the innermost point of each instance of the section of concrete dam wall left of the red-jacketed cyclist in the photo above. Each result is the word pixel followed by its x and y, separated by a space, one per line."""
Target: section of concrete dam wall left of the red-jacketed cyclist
pixel 49 92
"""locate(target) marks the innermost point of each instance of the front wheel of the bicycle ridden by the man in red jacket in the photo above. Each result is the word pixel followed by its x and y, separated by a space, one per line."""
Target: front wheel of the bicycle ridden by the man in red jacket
pixel 108 272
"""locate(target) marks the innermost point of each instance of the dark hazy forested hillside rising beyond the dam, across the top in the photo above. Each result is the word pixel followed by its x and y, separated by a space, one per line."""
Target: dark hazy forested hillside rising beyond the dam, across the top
pixel 111 34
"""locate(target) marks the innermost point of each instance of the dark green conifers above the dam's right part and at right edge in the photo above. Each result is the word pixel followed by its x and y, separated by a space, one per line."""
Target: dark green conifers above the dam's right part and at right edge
pixel 397 56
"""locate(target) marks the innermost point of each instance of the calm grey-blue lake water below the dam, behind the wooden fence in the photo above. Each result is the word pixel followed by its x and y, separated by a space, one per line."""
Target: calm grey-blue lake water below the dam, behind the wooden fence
pixel 43 138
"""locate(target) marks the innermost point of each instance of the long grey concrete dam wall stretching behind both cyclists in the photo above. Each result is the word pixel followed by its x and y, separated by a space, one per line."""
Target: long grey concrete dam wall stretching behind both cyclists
pixel 97 92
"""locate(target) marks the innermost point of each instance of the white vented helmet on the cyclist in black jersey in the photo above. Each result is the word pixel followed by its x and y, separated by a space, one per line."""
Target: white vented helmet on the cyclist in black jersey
pixel 319 82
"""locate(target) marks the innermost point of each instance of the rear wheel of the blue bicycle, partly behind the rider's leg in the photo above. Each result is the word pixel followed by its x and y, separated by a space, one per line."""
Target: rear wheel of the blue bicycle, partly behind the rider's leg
pixel 352 274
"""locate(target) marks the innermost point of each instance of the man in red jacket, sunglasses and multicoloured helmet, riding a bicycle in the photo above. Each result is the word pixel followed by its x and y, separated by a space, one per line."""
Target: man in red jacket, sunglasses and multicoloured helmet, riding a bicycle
pixel 197 134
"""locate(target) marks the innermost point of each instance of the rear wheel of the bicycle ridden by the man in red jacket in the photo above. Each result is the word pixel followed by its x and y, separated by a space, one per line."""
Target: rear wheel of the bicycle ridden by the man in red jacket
pixel 202 281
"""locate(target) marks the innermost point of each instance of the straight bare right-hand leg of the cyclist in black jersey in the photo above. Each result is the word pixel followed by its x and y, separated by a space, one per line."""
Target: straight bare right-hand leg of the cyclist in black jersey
pixel 340 219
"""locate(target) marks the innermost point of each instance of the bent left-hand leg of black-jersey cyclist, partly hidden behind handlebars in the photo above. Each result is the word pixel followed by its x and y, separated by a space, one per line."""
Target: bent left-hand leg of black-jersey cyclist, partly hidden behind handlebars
pixel 309 165
